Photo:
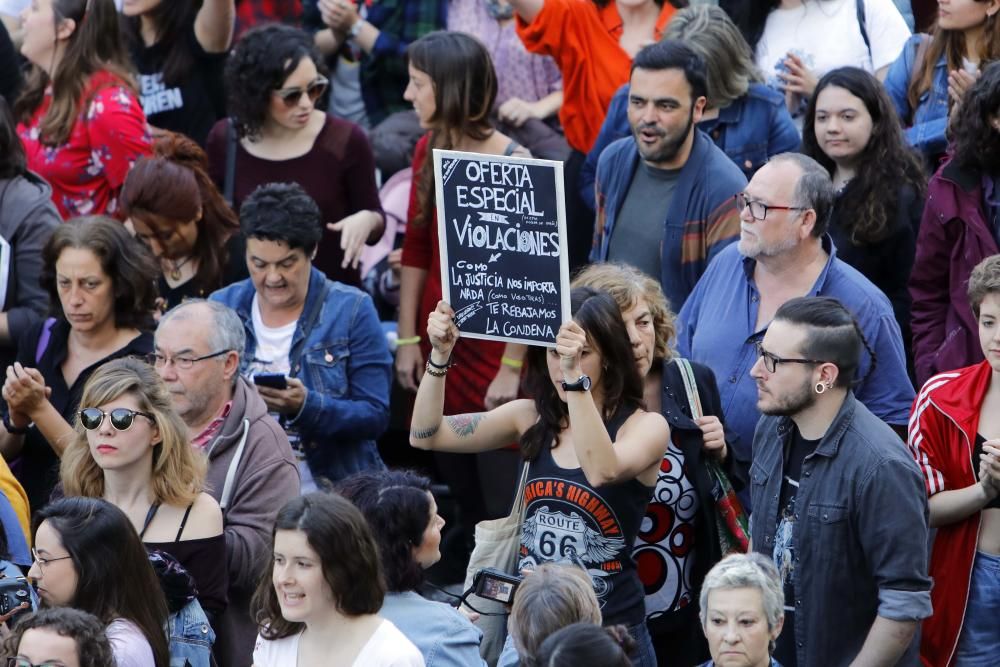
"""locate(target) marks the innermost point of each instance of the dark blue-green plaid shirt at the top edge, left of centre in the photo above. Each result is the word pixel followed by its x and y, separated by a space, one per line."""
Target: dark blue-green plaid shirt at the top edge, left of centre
pixel 383 71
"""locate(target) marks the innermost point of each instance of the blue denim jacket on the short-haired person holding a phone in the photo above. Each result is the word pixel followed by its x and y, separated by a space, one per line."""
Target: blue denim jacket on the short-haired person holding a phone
pixel 344 362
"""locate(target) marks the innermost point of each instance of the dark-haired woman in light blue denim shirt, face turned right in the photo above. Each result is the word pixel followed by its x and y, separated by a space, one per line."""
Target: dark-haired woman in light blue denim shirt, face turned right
pixel 403 516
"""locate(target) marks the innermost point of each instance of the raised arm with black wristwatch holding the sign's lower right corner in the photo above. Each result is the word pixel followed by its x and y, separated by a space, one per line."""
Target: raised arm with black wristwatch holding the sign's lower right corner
pixel 641 442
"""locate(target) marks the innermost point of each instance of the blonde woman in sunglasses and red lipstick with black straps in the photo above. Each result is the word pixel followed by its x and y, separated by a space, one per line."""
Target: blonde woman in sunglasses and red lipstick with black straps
pixel 131 449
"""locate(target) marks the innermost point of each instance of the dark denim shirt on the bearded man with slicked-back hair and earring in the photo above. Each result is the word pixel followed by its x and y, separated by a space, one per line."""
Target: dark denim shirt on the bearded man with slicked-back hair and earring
pixel 860 533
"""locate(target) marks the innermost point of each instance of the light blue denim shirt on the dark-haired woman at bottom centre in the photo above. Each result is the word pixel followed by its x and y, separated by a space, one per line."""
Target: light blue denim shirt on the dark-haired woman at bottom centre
pixel 443 635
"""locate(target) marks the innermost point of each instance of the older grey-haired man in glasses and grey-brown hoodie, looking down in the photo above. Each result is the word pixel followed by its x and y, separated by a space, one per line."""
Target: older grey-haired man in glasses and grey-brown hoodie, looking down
pixel 251 468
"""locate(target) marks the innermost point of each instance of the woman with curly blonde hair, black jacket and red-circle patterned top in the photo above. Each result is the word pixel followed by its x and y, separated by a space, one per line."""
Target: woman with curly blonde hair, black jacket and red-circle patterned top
pixel 678 543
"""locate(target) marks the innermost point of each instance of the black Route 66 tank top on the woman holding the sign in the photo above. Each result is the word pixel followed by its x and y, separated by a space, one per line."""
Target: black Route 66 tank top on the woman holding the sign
pixel 568 519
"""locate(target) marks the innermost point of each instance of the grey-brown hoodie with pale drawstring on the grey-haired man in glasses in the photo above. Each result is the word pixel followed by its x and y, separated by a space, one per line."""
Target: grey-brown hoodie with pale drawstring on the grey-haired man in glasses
pixel 264 478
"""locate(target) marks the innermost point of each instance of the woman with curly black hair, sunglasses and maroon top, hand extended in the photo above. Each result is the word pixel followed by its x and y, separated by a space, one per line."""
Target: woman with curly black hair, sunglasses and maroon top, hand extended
pixel 274 85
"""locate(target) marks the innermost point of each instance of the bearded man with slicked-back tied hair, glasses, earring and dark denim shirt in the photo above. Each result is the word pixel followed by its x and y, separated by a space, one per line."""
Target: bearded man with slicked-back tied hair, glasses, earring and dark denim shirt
pixel 838 502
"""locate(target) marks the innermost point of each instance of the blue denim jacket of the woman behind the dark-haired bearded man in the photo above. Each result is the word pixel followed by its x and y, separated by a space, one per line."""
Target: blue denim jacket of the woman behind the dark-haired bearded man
pixel 749 131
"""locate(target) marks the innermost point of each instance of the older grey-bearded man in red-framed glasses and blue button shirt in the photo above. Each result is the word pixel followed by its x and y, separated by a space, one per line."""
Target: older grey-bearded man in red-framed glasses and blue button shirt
pixel 784 252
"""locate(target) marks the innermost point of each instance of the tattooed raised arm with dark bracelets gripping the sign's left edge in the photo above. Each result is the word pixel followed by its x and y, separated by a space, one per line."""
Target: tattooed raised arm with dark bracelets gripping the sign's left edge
pixel 478 432
